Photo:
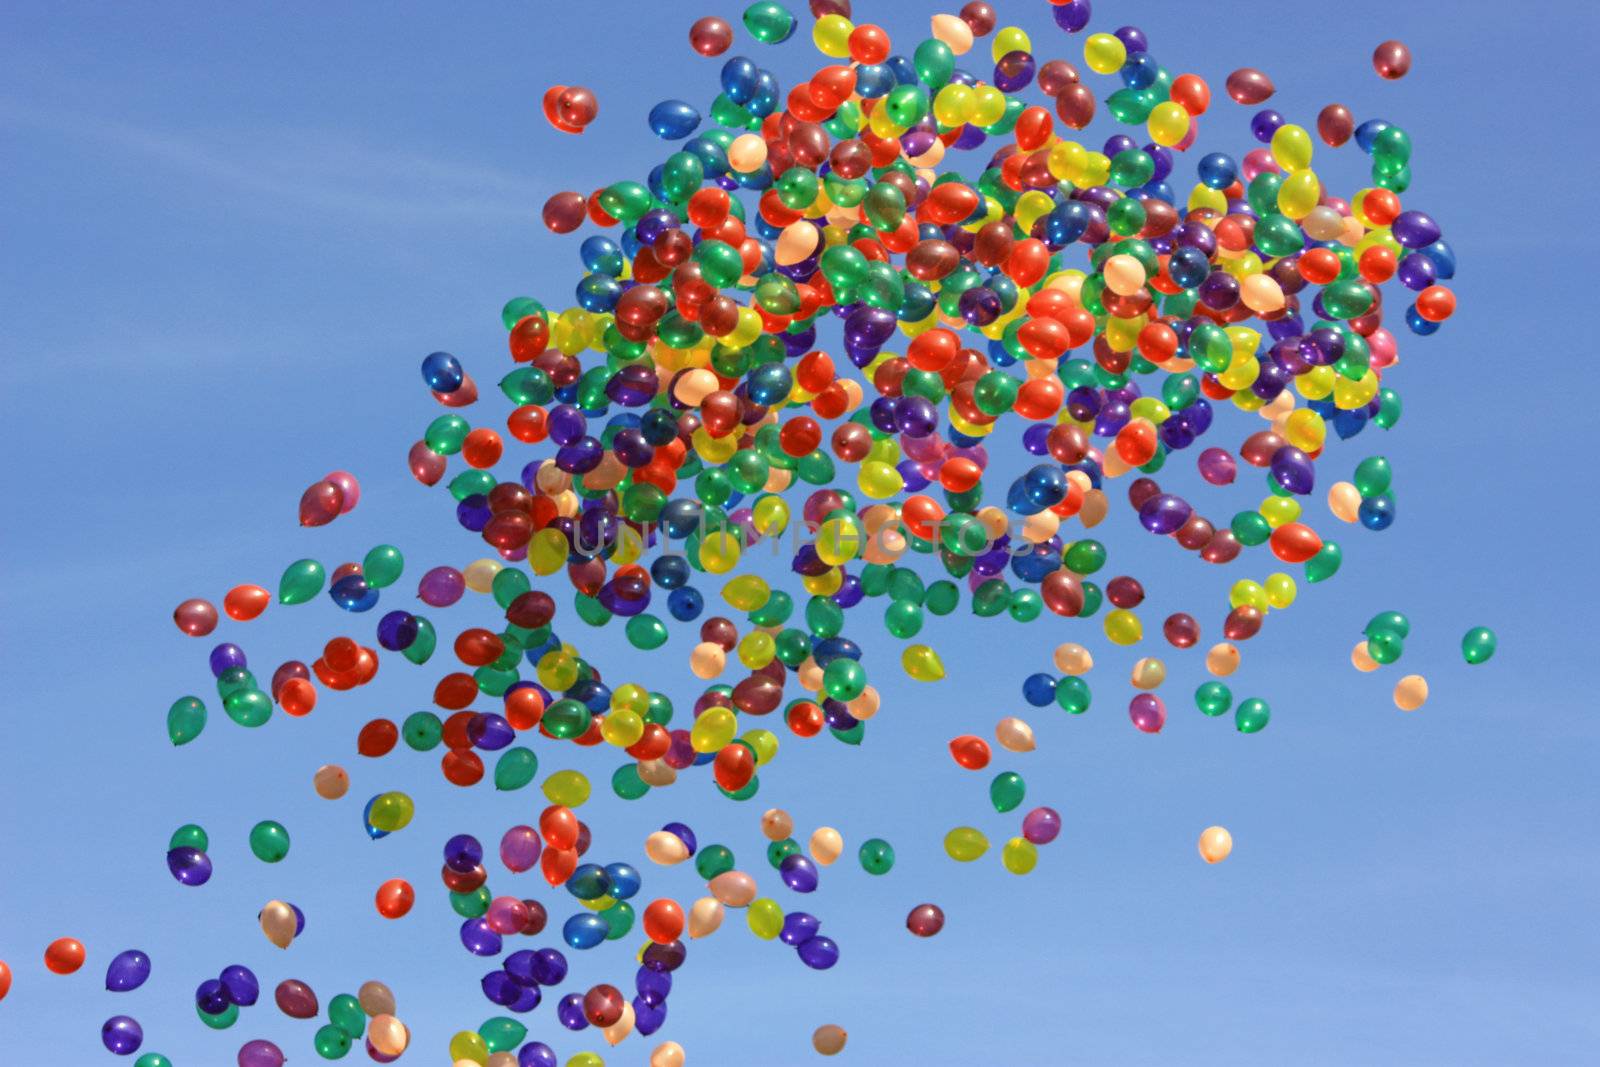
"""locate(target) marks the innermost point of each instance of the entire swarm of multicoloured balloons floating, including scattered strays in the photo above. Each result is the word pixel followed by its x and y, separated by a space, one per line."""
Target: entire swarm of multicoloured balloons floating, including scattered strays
pixel 1025 316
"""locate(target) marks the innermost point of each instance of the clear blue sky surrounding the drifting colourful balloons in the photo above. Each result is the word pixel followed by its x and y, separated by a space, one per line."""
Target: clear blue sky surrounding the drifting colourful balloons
pixel 233 234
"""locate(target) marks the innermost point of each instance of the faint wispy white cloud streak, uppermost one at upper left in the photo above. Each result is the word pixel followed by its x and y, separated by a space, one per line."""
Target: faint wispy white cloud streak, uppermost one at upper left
pixel 300 170
